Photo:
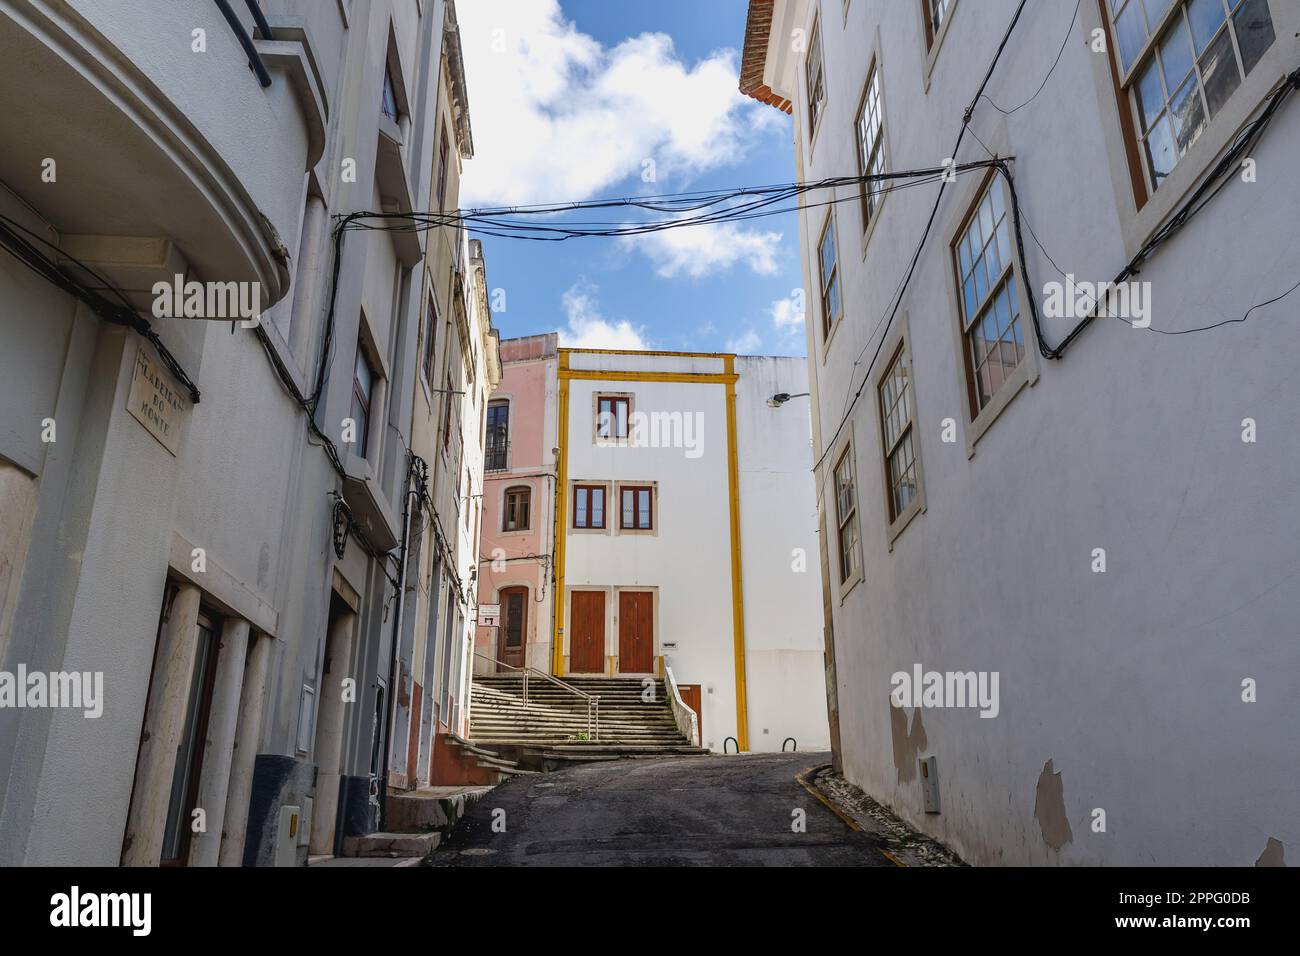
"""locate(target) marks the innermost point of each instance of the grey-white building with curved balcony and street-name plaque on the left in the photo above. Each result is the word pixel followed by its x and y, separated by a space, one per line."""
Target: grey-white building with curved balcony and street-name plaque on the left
pixel 220 557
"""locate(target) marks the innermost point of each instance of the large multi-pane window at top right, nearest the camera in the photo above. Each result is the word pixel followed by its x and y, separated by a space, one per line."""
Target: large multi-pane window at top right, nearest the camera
pixel 1180 63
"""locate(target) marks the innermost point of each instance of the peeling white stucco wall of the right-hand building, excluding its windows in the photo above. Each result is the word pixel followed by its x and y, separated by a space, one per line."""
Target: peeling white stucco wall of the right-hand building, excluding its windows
pixel 1129 682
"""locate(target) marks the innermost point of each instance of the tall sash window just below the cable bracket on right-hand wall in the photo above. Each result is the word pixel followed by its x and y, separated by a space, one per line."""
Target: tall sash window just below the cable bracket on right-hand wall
pixel 993 331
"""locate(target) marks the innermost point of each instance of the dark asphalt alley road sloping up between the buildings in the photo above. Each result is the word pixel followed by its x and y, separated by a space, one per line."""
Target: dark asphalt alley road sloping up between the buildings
pixel 691 811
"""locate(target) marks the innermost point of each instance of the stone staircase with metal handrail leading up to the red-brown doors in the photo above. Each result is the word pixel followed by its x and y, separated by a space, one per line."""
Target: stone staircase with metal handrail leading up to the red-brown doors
pixel 551 730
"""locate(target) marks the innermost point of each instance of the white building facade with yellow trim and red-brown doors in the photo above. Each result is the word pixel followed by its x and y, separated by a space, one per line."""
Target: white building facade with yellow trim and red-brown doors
pixel 679 550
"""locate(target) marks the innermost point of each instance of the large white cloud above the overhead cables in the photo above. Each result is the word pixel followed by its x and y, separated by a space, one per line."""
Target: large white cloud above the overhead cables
pixel 557 116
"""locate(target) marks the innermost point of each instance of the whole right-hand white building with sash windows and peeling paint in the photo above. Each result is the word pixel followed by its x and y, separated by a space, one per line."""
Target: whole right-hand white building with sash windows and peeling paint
pixel 1104 524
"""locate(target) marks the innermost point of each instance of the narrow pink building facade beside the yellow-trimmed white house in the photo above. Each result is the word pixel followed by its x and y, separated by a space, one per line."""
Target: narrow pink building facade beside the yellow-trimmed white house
pixel 517 556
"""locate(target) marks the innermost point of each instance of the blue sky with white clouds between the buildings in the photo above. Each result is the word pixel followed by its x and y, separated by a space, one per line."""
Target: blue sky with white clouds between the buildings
pixel 569 101
